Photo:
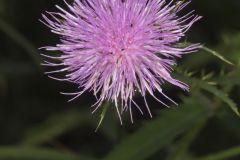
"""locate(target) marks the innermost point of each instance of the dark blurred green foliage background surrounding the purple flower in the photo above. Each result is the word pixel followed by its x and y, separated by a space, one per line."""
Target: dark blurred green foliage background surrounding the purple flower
pixel 37 123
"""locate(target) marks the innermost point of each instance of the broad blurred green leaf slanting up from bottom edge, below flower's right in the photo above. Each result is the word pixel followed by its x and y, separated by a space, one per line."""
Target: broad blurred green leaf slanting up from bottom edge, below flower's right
pixel 156 134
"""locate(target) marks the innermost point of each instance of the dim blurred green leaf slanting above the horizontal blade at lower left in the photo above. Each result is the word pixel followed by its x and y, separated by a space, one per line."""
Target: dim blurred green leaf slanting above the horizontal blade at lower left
pixel 53 127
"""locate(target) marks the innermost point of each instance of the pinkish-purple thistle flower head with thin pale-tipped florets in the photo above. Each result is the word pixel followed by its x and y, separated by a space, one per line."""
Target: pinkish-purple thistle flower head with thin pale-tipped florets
pixel 119 48
